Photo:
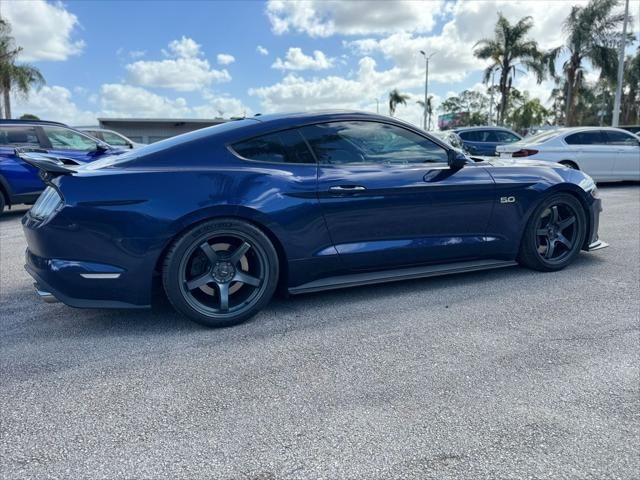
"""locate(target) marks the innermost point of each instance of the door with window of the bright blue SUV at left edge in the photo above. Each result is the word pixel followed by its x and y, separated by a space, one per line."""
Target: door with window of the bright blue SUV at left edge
pixel 20 178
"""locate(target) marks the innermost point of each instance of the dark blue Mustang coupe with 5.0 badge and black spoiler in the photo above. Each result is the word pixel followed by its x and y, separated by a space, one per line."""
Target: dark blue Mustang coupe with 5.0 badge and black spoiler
pixel 224 216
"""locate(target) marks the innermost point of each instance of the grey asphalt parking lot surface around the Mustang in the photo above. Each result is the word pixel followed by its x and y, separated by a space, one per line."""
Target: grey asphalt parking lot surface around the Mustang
pixel 495 375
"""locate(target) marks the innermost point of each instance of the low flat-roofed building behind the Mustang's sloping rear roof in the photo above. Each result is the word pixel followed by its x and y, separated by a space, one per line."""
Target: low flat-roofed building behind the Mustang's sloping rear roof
pixel 150 130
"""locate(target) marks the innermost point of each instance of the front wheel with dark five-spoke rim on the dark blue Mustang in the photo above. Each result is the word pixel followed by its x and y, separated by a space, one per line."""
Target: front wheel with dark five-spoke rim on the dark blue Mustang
pixel 554 234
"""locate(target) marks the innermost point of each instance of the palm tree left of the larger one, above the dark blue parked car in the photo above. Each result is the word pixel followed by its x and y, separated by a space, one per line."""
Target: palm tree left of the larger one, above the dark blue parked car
pixel 507 50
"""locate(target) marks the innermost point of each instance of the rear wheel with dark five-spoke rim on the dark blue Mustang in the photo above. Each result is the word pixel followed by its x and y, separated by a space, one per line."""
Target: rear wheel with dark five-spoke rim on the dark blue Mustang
pixel 221 272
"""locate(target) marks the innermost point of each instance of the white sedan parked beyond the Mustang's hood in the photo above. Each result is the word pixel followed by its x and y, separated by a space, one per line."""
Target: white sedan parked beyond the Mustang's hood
pixel 606 154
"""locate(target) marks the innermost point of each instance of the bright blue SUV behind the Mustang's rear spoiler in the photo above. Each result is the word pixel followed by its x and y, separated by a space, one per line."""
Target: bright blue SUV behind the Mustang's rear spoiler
pixel 19 182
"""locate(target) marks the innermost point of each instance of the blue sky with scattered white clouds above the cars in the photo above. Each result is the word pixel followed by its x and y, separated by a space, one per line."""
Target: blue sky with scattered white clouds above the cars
pixel 211 58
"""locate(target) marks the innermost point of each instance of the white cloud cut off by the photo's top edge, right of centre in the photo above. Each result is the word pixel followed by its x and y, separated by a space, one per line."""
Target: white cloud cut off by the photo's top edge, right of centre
pixel 323 18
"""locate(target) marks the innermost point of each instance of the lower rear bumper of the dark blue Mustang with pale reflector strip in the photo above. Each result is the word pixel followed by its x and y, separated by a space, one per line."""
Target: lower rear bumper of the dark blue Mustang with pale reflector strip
pixel 79 284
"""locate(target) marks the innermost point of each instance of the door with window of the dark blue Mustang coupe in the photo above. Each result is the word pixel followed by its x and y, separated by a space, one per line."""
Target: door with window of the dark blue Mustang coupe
pixel 390 200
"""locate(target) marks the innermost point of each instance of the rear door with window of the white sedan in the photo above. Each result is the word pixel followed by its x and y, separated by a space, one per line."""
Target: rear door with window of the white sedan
pixel 592 153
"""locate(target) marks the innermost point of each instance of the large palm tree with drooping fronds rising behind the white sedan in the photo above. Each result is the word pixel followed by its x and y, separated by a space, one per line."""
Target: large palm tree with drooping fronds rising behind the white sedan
pixel 591 31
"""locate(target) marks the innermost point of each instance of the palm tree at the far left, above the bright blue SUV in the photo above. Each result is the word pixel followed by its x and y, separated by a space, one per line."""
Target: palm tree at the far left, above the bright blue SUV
pixel 20 78
